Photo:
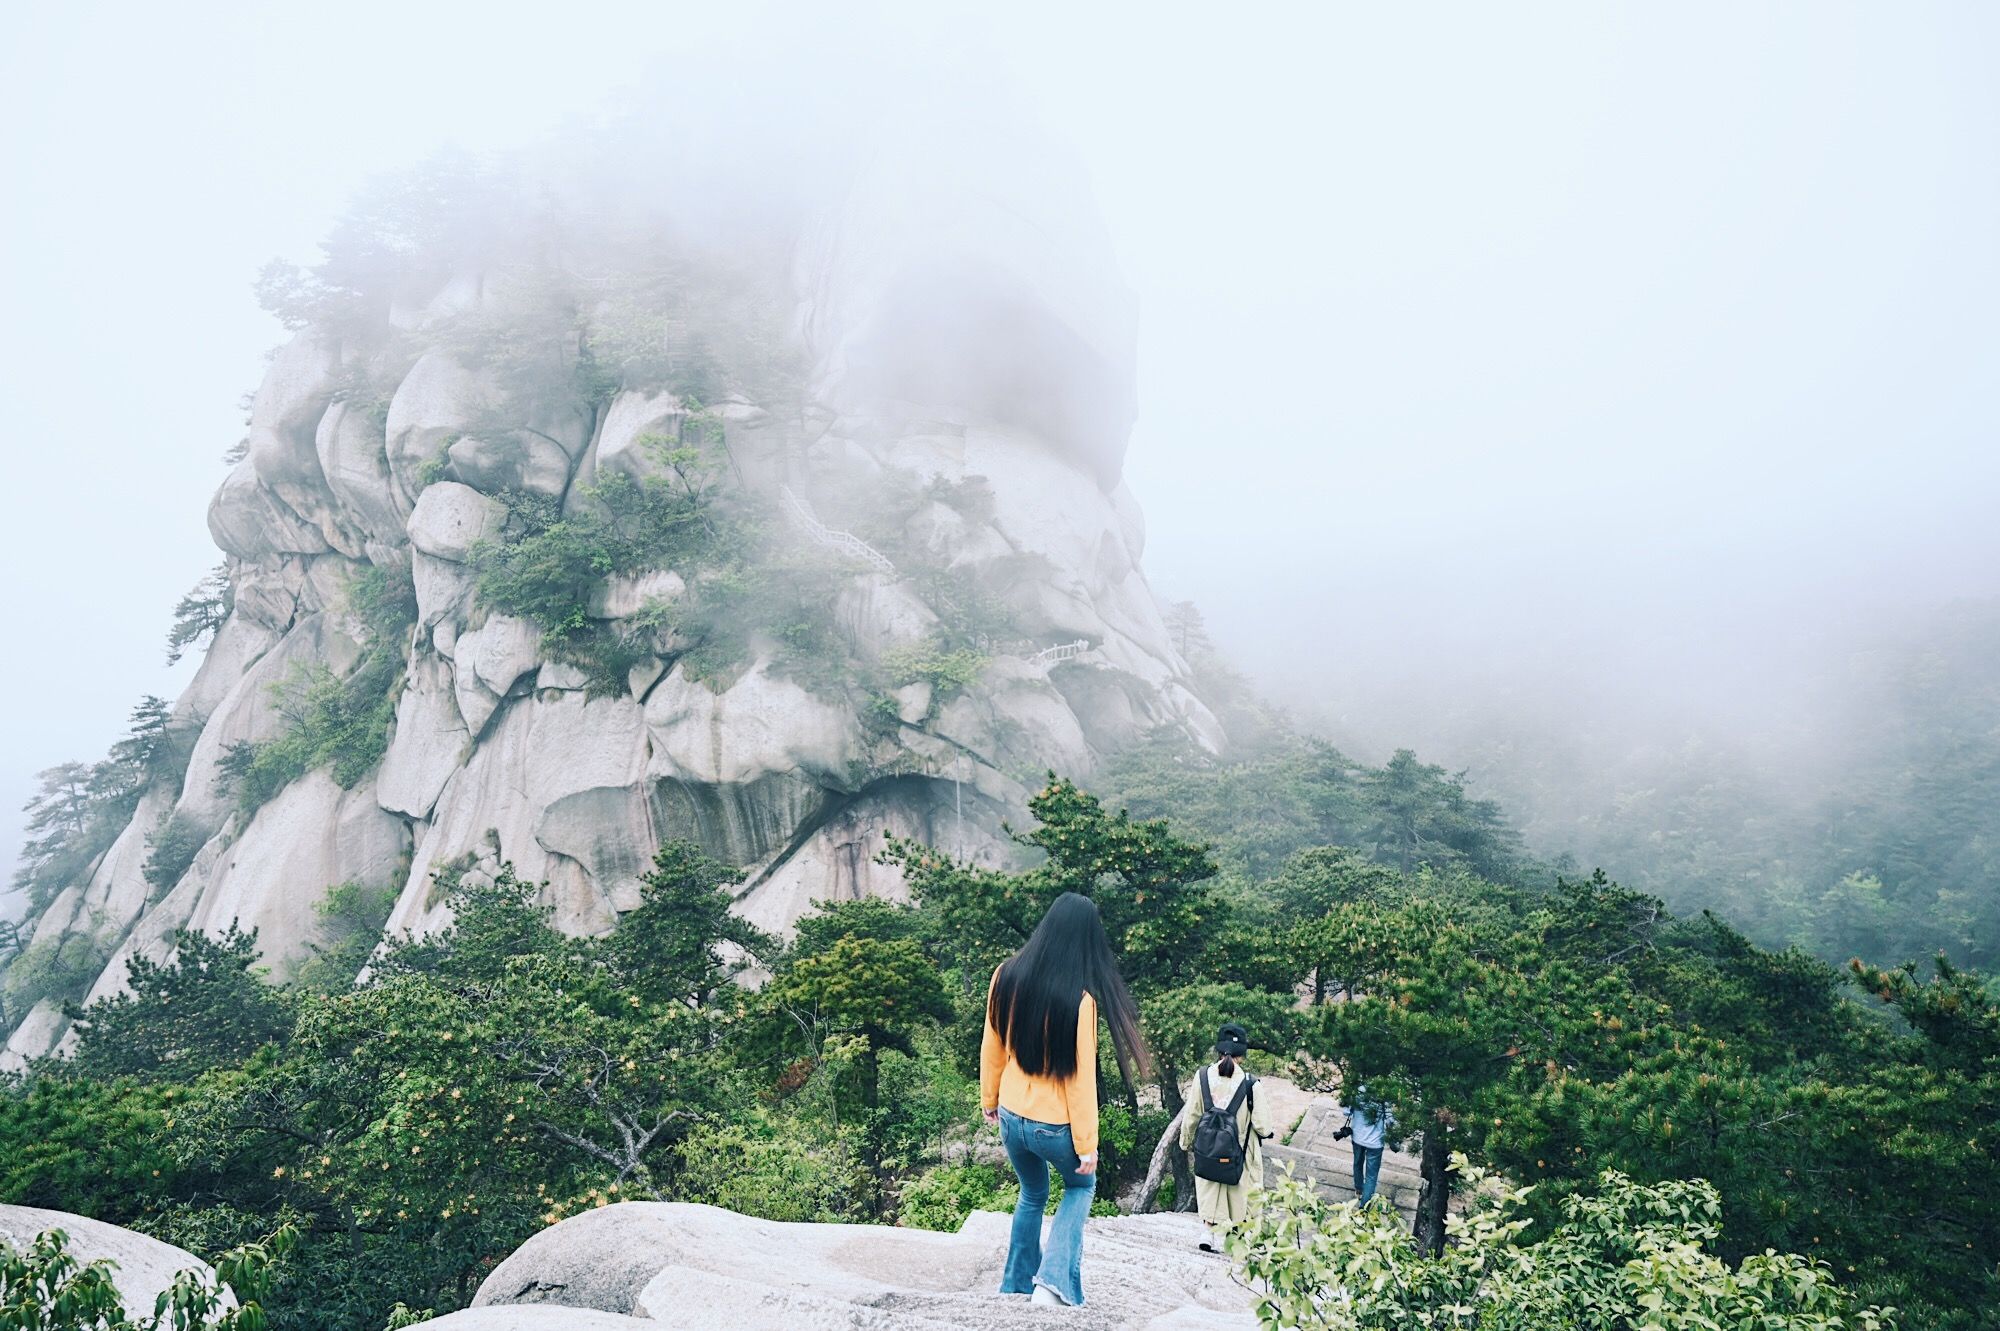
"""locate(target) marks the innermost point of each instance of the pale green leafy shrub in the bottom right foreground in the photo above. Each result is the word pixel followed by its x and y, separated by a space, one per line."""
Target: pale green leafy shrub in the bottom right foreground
pixel 1625 1256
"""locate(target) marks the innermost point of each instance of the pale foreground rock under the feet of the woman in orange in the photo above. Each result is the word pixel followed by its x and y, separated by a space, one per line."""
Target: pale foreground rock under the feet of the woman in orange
pixel 675 1264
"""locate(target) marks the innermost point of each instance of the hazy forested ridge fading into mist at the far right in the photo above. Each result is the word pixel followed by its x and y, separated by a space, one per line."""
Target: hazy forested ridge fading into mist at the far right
pixel 1857 812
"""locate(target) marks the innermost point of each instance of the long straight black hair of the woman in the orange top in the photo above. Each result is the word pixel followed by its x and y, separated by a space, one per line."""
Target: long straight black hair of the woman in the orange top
pixel 1039 992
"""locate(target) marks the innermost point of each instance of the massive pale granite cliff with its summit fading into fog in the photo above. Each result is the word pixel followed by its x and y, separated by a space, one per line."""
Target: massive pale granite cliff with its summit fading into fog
pixel 919 413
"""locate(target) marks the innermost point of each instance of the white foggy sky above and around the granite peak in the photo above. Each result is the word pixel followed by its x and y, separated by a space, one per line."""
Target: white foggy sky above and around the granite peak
pixel 1589 371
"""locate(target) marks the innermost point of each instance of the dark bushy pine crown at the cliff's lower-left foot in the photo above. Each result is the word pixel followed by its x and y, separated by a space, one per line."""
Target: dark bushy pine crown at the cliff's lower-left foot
pixel 205 1008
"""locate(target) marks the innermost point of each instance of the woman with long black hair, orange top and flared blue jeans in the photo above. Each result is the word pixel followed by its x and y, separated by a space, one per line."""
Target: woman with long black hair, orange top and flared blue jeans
pixel 1039 1080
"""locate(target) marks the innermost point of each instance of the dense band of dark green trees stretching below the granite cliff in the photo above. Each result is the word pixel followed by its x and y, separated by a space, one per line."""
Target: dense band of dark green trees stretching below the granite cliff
pixel 497 1076
